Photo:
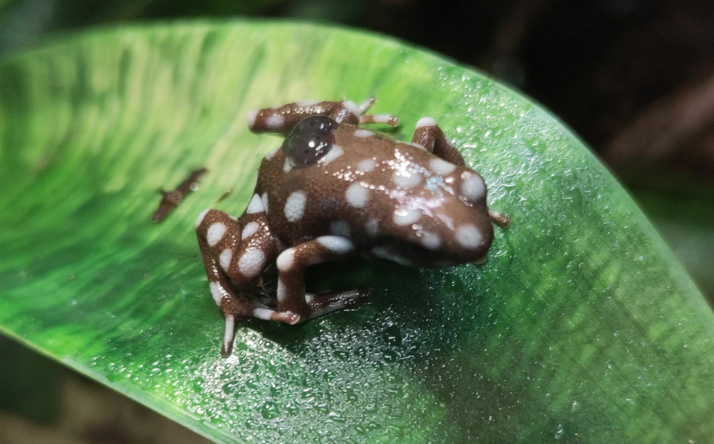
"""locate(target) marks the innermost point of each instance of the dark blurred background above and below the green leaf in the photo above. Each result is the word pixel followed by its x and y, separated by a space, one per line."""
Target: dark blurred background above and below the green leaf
pixel 634 78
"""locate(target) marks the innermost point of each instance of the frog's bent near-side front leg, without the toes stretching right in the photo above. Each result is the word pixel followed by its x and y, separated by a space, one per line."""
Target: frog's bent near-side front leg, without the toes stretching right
pixel 292 264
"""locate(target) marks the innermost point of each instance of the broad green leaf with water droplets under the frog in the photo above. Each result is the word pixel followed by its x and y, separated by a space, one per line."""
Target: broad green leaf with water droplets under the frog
pixel 581 326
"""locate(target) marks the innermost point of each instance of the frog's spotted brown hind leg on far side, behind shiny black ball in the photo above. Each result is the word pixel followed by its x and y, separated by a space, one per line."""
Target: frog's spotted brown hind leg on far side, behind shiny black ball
pixel 282 119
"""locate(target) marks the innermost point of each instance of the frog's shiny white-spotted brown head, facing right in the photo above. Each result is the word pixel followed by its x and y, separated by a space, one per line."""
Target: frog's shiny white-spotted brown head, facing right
pixel 442 222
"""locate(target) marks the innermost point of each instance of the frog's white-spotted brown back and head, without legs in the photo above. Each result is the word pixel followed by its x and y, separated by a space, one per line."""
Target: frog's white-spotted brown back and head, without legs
pixel 393 199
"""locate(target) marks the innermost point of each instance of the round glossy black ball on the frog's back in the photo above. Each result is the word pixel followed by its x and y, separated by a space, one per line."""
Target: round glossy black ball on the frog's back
pixel 310 140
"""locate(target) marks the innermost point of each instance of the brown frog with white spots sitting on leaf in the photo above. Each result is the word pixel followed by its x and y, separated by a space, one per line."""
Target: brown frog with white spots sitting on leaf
pixel 334 190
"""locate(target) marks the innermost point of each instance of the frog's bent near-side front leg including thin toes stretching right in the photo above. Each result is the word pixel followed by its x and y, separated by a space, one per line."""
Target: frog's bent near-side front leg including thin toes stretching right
pixel 292 264
